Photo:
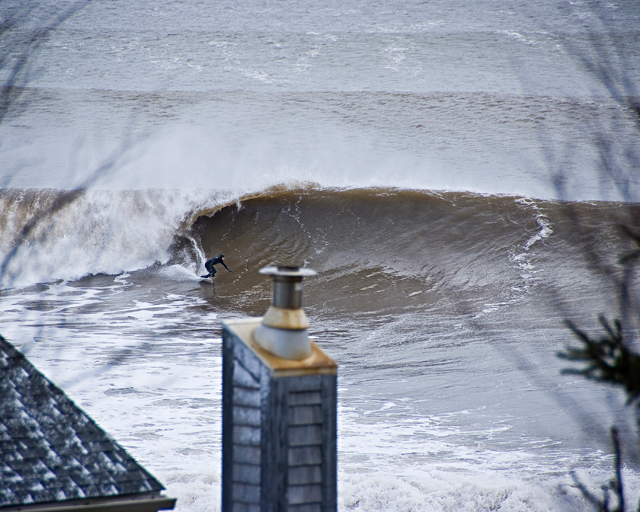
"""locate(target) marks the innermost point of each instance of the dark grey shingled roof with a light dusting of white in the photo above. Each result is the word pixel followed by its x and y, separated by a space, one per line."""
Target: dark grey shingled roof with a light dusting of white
pixel 52 453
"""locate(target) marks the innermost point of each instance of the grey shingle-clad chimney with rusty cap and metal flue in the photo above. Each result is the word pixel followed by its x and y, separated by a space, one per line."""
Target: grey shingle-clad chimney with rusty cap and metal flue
pixel 279 394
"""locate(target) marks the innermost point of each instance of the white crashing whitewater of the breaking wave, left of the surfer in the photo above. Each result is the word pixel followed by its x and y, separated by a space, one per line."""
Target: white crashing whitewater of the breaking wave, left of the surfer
pixel 101 231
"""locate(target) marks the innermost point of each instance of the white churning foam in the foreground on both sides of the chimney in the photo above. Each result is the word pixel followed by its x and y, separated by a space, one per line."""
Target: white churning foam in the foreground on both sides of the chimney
pixel 164 407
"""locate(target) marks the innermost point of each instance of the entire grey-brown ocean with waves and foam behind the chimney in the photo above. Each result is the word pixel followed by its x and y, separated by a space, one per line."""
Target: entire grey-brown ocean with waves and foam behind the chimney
pixel 454 171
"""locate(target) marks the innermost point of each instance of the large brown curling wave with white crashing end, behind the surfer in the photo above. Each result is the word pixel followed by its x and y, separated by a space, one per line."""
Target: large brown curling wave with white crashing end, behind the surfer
pixel 437 247
